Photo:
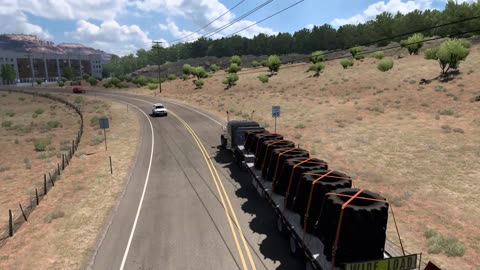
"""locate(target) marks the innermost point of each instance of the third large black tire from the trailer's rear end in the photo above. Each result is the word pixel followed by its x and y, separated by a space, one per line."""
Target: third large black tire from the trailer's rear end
pixel 282 182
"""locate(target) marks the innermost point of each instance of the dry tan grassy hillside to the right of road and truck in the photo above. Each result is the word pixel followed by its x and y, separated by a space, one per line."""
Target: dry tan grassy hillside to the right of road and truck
pixel 383 127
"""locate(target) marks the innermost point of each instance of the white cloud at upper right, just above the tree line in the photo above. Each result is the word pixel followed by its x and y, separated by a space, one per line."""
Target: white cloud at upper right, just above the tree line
pixel 392 6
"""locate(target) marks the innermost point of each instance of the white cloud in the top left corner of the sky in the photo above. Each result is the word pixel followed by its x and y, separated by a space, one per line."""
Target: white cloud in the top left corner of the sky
pixel 13 21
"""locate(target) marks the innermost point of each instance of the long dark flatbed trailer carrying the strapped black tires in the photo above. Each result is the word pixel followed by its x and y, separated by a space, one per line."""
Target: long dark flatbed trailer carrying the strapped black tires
pixel 303 244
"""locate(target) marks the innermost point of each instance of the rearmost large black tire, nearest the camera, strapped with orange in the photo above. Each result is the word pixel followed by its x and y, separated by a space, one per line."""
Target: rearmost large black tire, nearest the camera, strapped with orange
pixel 363 230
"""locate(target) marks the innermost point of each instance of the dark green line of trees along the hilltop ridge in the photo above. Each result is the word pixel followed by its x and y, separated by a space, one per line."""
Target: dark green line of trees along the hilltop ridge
pixel 305 41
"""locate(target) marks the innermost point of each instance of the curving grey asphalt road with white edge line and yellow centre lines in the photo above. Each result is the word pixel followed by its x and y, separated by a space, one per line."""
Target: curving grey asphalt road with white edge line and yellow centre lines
pixel 174 213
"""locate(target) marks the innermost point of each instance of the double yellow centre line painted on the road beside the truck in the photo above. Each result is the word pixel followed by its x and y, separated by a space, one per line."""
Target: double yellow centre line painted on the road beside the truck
pixel 223 197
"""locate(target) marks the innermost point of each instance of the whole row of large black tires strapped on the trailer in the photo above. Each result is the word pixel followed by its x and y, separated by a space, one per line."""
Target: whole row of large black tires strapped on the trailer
pixel 317 195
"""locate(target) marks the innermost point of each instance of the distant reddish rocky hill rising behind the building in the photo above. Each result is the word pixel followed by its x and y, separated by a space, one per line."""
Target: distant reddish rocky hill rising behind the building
pixel 33 44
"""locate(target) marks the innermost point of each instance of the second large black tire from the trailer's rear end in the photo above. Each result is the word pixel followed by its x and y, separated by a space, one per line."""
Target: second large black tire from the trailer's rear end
pixel 332 181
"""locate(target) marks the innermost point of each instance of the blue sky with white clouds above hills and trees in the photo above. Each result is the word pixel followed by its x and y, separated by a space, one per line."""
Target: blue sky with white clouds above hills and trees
pixel 124 26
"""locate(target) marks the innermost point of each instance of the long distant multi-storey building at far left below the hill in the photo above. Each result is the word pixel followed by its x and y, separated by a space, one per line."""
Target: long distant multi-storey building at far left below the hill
pixel 30 67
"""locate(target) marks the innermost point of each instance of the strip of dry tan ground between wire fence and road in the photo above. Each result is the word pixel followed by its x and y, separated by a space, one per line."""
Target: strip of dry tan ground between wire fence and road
pixel 61 233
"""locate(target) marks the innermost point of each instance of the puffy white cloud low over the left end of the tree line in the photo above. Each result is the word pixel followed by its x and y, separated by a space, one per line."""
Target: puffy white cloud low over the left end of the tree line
pixel 111 36
